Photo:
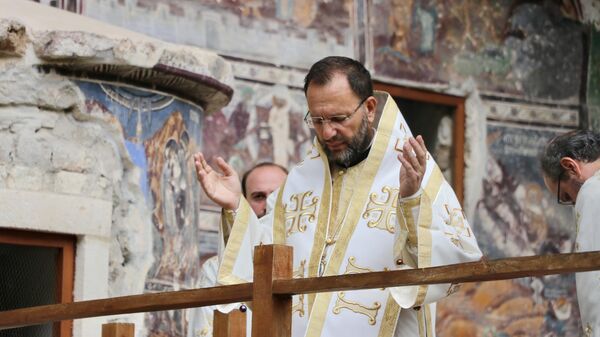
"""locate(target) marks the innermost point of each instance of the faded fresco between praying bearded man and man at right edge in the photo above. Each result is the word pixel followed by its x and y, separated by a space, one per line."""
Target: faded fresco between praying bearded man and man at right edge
pixel 517 217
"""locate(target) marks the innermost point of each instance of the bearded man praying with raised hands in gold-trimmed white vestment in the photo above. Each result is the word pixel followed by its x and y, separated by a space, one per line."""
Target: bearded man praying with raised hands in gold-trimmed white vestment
pixel 367 197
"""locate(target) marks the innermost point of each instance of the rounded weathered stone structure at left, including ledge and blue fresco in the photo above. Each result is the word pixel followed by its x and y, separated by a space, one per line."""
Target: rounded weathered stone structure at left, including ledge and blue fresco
pixel 96 135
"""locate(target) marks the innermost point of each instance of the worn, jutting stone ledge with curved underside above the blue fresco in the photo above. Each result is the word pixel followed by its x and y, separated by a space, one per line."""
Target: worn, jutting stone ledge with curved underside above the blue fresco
pixel 81 47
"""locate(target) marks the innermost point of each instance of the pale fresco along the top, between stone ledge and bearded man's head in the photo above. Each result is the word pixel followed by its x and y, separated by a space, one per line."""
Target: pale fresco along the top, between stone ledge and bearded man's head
pixel 294 33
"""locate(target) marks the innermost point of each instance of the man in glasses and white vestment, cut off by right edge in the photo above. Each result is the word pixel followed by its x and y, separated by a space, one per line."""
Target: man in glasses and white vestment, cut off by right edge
pixel 571 167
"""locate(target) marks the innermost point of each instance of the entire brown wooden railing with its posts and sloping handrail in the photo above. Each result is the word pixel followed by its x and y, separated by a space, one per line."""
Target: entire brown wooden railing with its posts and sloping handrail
pixel 273 287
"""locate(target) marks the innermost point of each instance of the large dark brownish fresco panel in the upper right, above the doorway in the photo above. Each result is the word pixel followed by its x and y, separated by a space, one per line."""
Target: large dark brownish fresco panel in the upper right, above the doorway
pixel 517 47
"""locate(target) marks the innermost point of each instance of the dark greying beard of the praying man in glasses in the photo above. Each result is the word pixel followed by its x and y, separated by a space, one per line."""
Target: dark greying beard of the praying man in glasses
pixel 357 149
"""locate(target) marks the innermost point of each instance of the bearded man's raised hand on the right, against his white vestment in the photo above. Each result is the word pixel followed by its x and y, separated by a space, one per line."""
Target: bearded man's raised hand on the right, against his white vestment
pixel 414 163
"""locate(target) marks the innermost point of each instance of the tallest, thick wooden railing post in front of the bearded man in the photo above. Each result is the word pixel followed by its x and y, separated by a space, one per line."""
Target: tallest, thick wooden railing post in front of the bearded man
pixel 271 314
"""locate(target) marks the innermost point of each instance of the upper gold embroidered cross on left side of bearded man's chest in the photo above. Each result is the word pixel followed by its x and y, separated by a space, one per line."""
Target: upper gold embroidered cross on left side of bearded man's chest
pixel 302 209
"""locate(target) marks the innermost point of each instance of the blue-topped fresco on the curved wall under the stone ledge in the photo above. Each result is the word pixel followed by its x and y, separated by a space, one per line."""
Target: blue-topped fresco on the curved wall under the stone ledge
pixel 161 134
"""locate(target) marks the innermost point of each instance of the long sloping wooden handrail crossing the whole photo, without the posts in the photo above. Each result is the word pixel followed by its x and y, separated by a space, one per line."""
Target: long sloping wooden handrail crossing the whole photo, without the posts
pixel 468 272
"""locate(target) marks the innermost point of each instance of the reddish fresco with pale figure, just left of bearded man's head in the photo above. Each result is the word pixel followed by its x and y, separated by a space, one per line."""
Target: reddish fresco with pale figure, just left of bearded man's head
pixel 262 123
